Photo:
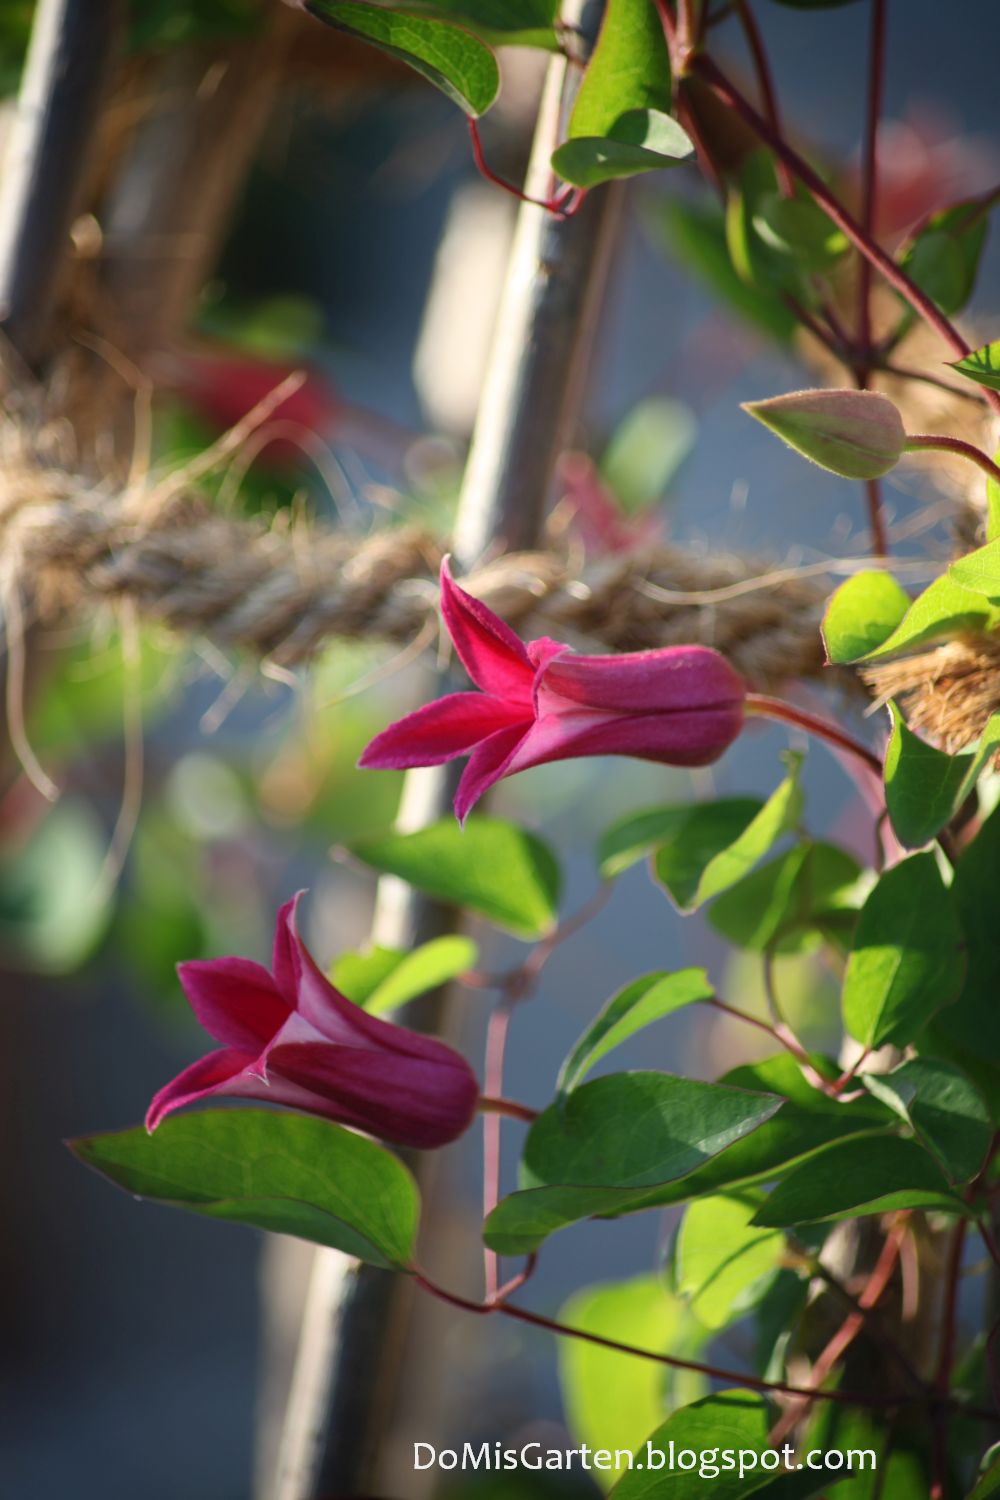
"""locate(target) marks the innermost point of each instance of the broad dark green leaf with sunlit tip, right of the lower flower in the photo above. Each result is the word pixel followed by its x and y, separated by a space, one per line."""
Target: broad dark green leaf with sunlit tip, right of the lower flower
pixel 638 1130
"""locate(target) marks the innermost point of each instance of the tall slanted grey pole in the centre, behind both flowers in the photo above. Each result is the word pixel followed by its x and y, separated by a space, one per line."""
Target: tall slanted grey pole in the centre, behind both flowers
pixel 356 1318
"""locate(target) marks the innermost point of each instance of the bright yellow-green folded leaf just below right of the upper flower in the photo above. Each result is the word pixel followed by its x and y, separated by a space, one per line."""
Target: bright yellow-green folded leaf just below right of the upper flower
pixel 719 844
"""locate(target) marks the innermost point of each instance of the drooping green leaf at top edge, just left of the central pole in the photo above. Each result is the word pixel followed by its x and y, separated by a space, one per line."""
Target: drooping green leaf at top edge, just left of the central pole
pixel 452 59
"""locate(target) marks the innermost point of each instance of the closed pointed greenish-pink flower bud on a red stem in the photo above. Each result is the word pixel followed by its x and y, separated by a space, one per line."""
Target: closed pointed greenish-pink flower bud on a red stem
pixel 857 434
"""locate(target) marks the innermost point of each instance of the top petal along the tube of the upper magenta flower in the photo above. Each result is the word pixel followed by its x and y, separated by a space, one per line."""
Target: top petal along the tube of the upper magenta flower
pixel 642 682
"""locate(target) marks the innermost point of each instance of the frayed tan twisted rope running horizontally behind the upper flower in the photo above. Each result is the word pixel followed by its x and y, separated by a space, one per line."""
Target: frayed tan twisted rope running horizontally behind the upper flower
pixel 286 592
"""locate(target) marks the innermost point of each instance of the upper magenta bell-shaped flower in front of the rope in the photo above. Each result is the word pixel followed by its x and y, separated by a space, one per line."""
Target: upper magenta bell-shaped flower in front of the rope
pixel 539 701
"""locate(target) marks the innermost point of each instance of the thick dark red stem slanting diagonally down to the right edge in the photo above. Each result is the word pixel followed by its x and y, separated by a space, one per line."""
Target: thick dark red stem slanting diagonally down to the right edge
pixel 708 70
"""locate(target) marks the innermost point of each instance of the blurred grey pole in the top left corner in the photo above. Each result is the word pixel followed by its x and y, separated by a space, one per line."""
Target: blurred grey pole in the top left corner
pixel 59 109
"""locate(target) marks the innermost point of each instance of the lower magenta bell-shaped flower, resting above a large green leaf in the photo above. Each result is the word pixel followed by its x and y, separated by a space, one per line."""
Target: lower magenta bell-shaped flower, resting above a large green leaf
pixel 290 1039
